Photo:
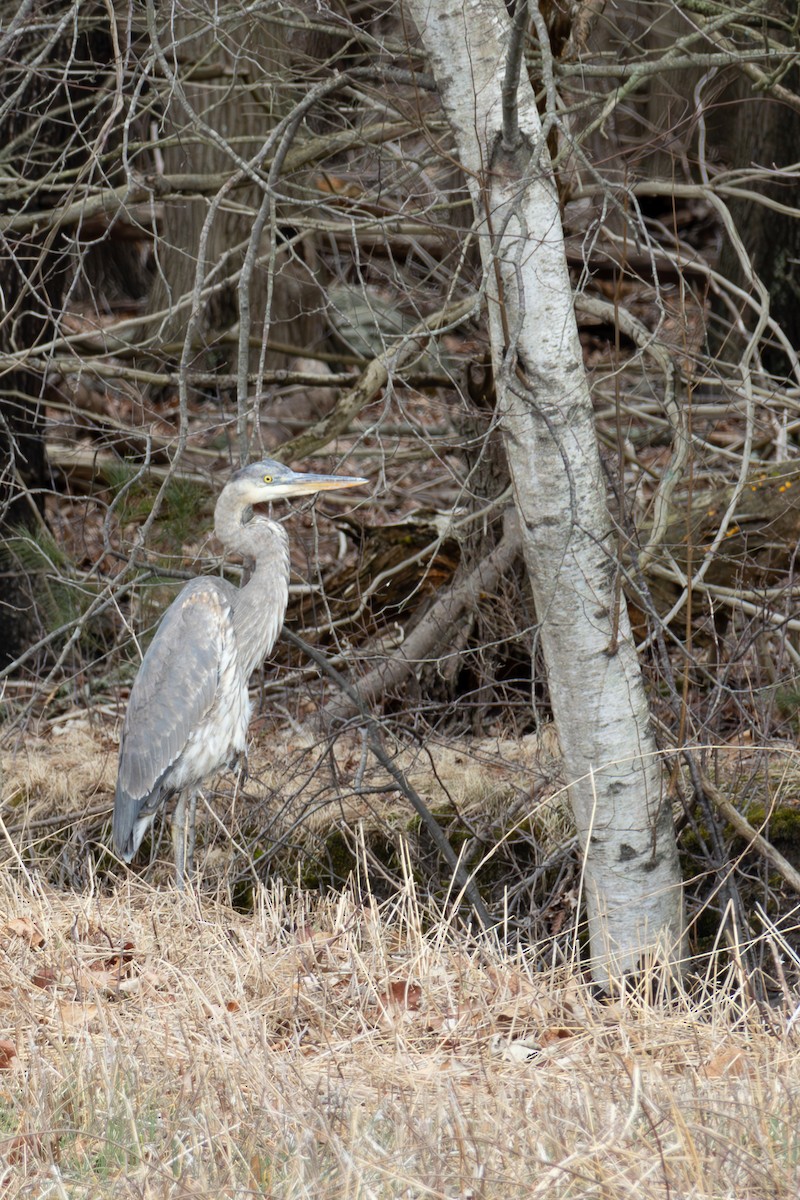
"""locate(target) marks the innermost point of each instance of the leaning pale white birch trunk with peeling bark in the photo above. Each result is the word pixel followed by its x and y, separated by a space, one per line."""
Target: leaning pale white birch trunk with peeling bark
pixel 631 881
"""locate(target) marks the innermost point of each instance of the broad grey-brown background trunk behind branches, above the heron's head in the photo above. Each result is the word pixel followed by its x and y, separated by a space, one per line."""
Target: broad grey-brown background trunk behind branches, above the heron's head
pixel 232 70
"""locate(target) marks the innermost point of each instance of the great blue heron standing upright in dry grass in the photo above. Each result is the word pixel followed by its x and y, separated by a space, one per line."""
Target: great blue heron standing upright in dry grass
pixel 190 707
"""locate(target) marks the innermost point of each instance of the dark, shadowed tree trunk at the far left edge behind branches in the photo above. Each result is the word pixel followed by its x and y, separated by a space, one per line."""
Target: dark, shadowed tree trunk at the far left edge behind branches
pixel 40 143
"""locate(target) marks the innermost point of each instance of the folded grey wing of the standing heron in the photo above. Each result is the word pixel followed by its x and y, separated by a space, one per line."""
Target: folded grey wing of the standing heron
pixel 176 687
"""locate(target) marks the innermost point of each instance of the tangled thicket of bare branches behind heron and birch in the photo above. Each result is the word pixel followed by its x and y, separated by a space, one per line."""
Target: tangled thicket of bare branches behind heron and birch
pixel 237 230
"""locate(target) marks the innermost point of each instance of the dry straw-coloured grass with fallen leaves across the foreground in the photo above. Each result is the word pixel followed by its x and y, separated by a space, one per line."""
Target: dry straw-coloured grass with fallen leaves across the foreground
pixel 164 1046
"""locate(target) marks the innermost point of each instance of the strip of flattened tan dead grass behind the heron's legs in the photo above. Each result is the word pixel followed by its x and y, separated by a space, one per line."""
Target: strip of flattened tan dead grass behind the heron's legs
pixel 304 809
